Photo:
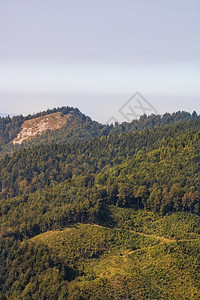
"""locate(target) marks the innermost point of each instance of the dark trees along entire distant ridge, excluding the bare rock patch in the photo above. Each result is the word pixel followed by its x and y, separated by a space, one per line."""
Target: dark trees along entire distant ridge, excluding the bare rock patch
pixel 80 128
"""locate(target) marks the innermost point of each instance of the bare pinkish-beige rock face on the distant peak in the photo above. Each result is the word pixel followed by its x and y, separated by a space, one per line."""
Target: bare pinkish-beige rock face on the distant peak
pixel 31 128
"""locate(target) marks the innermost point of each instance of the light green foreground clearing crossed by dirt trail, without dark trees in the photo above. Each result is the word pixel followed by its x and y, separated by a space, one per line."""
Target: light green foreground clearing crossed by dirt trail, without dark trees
pixel 119 264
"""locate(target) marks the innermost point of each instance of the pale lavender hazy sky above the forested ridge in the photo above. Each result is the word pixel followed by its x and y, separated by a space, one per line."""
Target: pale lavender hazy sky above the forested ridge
pixel 112 59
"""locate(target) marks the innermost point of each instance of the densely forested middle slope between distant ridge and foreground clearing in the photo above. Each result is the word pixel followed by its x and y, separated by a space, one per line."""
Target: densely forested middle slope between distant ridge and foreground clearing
pixel 56 185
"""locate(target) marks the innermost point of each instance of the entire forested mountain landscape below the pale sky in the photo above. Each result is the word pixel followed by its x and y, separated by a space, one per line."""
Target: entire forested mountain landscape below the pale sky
pixel 91 211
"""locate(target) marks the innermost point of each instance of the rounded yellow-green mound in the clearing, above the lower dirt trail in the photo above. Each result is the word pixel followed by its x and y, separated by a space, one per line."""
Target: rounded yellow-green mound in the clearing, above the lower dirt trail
pixel 83 242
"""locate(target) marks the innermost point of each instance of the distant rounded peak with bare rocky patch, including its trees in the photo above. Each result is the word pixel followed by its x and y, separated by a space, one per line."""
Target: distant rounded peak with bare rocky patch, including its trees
pixel 61 125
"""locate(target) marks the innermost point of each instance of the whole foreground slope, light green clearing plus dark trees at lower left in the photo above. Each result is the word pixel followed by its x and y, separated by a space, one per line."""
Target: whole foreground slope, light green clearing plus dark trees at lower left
pixel 136 258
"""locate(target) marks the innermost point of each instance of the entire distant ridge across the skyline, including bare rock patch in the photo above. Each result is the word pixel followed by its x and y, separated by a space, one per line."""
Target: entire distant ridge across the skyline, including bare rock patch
pixel 66 125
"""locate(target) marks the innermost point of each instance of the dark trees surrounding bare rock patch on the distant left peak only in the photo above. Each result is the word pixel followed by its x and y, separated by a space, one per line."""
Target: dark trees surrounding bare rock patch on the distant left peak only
pixel 80 127
